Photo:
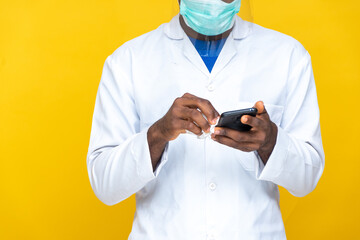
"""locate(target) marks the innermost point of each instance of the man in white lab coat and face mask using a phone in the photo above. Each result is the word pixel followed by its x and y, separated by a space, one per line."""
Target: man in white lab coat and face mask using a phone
pixel 163 85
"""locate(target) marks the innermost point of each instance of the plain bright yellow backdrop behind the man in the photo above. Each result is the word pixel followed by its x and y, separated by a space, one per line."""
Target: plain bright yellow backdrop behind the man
pixel 51 58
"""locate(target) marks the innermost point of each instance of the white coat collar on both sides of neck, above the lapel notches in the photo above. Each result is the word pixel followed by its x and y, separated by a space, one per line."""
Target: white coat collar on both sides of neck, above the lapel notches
pixel 174 30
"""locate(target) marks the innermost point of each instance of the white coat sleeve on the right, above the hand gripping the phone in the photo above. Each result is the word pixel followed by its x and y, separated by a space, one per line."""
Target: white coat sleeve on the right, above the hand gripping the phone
pixel 297 161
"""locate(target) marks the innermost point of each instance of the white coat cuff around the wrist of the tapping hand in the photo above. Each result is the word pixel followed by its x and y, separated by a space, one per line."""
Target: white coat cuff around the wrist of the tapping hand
pixel 141 152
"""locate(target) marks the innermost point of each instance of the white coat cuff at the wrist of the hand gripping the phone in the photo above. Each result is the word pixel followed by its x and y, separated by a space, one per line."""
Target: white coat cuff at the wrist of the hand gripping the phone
pixel 277 159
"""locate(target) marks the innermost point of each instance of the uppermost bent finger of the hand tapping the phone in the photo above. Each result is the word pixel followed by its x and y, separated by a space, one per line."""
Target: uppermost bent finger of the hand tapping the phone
pixel 204 105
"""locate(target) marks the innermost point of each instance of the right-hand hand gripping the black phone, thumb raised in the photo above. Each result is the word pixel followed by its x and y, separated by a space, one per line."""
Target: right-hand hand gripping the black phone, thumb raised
pixel 261 137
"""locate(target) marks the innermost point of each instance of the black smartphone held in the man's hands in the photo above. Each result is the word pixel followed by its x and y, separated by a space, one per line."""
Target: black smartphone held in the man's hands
pixel 232 120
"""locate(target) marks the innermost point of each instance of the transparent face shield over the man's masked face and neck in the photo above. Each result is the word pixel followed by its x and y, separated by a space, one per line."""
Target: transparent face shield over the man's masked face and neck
pixel 211 19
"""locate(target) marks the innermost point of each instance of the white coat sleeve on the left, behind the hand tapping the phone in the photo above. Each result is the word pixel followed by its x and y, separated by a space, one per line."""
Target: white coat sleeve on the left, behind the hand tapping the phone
pixel 118 158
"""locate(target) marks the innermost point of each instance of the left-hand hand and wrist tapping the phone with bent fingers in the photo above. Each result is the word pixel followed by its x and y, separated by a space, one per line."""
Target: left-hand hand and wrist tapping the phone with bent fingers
pixel 186 113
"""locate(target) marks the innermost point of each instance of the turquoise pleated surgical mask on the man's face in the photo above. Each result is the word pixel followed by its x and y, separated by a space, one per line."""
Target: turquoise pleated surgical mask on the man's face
pixel 209 17
